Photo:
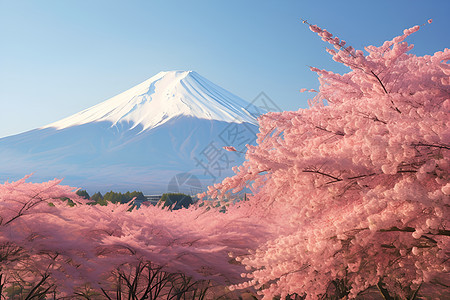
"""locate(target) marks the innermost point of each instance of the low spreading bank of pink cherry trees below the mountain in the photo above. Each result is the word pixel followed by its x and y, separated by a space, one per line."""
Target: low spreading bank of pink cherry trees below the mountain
pixel 50 248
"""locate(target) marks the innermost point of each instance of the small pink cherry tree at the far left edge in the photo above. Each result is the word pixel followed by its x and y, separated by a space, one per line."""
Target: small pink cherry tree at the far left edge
pixel 25 269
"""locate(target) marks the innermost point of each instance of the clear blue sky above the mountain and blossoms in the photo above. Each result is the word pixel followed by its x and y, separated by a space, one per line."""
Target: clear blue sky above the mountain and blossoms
pixel 59 57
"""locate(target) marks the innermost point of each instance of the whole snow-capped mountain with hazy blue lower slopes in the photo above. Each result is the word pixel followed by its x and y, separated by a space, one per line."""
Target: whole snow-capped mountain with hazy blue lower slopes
pixel 165 134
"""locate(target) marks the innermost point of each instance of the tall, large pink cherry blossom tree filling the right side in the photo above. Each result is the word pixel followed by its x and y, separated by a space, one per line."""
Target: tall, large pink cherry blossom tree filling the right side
pixel 358 184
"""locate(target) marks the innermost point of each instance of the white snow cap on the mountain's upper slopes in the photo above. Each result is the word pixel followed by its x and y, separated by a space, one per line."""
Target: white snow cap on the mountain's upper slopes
pixel 163 97
